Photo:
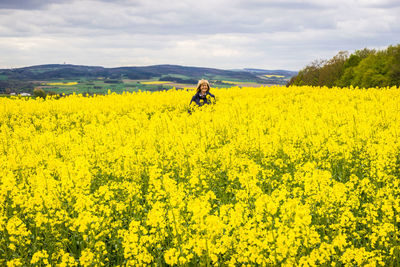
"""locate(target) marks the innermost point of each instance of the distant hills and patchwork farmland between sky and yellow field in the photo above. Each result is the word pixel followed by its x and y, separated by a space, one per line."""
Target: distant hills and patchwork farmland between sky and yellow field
pixel 67 79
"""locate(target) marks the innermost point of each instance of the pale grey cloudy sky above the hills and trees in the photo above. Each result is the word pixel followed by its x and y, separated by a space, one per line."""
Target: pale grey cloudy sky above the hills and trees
pixel 225 34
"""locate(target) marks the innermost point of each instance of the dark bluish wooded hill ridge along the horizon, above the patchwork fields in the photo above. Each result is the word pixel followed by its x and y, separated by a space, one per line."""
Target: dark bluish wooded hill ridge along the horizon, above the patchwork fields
pixel 67 71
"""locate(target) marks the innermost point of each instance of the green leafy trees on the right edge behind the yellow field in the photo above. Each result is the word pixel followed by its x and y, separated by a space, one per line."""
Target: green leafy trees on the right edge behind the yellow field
pixel 364 68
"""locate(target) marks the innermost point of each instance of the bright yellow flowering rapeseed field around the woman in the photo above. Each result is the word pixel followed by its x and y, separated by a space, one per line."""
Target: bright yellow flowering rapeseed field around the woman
pixel 265 176
